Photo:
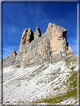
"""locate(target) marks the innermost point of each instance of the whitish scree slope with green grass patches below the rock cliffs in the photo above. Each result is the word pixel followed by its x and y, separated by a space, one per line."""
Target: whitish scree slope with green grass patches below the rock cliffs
pixel 52 82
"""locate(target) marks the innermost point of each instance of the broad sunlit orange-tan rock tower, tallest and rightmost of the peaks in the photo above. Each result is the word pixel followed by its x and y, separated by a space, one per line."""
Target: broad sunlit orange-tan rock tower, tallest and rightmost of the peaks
pixel 58 40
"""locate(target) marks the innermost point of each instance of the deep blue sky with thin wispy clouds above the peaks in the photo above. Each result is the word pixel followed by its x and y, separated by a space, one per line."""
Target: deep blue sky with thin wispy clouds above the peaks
pixel 18 16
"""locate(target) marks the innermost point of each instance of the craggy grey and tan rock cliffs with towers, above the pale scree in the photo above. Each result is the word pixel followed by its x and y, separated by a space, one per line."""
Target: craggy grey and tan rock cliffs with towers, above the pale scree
pixel 36 48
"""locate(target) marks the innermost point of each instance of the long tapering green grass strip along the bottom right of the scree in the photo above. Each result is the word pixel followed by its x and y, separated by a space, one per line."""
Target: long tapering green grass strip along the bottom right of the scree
pixel 60 98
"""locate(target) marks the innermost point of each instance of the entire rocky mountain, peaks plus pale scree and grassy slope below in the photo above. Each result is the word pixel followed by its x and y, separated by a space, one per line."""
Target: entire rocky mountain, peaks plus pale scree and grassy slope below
pixel 43 71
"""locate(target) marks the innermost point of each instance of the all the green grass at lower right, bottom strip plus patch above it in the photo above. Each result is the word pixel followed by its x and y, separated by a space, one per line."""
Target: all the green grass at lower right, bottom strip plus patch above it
pixel 71 92
